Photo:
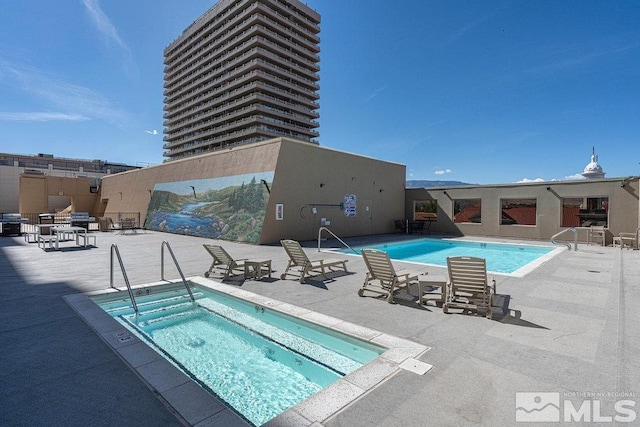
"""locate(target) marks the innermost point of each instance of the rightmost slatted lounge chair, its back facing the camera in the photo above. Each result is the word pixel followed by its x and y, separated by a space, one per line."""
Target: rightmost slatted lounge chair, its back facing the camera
pixel 468 286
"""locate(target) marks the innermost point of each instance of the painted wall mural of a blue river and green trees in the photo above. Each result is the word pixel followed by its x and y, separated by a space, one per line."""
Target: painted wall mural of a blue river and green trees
pixel 228 208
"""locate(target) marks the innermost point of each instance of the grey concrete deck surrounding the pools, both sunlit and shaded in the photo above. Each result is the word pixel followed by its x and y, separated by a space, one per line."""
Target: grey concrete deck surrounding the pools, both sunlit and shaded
pixel 565 329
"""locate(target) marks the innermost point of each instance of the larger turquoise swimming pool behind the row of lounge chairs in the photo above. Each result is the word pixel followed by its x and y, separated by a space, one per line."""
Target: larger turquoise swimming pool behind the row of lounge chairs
pixel 504 258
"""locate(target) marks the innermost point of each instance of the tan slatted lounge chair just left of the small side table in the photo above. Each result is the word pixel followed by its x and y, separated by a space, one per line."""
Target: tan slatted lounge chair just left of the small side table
pixel 382 278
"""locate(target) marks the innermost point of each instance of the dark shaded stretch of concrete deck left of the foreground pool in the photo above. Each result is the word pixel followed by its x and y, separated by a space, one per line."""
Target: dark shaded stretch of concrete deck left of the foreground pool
pixel 55 369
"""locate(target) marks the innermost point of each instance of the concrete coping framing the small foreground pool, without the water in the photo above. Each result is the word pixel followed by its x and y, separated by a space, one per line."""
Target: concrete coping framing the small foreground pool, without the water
pixel 194 405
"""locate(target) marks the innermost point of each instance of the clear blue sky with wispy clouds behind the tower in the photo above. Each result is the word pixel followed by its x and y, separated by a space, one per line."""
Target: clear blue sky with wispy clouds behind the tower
pixel 474 91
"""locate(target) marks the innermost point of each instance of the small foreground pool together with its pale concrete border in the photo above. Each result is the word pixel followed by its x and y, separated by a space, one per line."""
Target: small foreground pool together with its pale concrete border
pixel 306 351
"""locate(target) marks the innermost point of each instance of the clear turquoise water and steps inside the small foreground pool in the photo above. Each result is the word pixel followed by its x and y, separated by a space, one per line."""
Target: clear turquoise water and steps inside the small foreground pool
pixel 260 362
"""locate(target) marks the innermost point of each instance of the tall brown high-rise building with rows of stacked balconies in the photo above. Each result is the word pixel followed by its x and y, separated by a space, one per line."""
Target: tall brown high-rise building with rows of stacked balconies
pixel 245 71
